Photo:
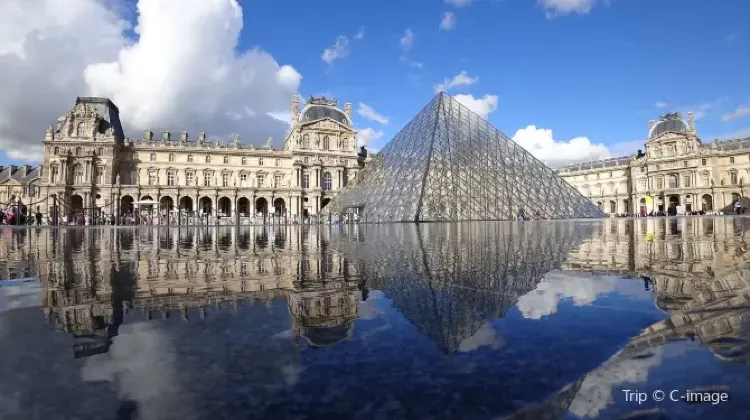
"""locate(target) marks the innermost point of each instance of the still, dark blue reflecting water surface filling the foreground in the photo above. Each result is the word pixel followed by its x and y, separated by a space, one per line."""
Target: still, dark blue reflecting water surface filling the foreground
pixel 563 319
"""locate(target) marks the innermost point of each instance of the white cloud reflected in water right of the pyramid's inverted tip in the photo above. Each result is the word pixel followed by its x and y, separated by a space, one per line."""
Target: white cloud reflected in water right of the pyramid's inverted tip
pixel 555 286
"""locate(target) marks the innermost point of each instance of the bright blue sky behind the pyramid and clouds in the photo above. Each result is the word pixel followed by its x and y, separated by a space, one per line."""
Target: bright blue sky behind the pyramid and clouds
pixel 601 73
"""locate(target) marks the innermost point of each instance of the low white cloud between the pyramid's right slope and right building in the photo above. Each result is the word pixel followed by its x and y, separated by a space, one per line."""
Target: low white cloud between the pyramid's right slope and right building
pixel 540 143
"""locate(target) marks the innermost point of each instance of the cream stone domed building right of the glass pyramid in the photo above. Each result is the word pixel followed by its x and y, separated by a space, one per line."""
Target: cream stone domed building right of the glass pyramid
pixel 677 171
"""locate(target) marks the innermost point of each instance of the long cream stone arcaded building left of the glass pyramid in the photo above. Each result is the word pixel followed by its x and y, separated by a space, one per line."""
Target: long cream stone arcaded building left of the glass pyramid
pixel 89 164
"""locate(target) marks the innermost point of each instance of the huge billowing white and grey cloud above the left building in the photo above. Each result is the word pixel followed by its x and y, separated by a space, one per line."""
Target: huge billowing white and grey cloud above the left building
pixel 168 78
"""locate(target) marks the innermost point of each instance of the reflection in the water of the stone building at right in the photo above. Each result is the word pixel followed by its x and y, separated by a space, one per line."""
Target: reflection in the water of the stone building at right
pixel 697 268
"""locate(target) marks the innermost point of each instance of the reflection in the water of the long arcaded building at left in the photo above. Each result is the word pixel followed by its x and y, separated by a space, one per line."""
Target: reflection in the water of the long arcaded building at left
pixel 94 276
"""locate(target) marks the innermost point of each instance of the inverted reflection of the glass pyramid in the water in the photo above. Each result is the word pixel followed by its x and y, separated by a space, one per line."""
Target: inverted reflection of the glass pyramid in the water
pixel 450 279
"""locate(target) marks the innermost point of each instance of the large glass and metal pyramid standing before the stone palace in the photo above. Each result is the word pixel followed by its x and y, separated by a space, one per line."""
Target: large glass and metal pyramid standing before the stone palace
pixel 449 164
